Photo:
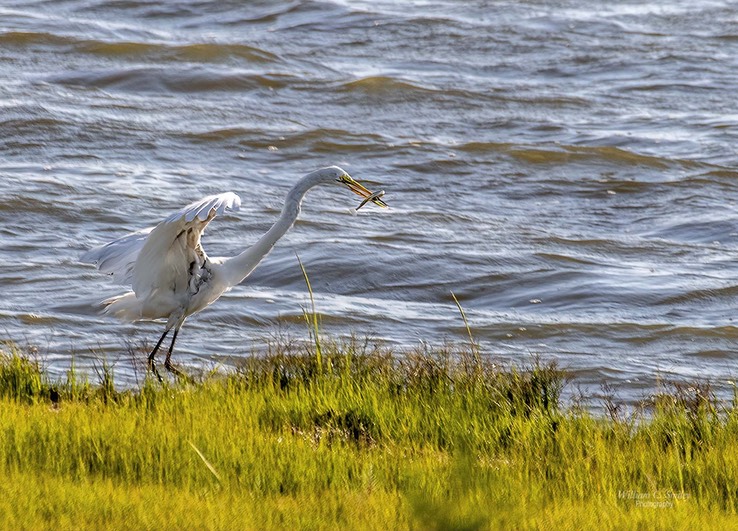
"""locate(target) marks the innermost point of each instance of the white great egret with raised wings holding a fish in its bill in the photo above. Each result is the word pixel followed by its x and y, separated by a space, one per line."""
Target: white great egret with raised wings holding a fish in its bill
pixel 171 276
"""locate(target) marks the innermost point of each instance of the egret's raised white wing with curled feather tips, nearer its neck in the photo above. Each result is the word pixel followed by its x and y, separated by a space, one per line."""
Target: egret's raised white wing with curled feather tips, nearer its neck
pixel 164 260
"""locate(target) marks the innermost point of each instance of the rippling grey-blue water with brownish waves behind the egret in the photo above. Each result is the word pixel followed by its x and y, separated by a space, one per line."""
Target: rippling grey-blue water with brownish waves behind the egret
pixel 569 171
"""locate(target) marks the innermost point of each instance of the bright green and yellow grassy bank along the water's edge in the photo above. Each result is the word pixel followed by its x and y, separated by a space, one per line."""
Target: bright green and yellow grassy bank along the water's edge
pixel 356 439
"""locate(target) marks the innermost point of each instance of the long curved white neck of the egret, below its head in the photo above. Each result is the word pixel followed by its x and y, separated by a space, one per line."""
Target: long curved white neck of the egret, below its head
pixel 241 265
